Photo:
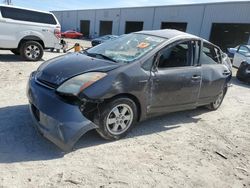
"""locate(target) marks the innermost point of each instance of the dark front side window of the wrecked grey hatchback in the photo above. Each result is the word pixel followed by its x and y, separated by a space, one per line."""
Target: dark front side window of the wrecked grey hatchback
pixel 174 56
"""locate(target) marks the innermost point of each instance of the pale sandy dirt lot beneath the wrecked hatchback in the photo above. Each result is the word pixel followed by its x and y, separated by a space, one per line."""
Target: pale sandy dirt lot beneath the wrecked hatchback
pixel 176 150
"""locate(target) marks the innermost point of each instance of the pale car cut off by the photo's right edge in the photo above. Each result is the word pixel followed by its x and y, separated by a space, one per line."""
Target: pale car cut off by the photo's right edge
pixel 242 62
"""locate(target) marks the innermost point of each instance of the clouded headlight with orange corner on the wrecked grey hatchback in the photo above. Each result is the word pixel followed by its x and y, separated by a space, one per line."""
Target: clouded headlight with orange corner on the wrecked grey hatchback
pixel 78 83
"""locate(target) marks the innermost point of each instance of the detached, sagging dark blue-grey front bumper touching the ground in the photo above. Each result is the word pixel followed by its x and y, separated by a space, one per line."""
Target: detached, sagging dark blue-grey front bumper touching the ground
pixel 58 121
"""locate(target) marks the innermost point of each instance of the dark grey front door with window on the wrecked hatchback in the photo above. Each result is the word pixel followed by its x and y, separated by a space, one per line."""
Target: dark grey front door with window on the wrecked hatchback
pixel 177 78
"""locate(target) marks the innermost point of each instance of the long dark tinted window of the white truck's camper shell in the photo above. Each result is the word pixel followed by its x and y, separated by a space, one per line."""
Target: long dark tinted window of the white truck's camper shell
pixel 27 15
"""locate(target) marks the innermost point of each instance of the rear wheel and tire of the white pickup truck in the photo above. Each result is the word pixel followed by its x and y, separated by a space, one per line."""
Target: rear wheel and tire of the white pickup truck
pixel 35 49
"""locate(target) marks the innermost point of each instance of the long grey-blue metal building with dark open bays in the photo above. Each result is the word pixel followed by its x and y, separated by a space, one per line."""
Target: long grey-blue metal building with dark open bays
pixel 226 24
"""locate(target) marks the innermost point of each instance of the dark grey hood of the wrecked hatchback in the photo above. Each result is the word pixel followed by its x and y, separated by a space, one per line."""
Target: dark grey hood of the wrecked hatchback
pixel 58 70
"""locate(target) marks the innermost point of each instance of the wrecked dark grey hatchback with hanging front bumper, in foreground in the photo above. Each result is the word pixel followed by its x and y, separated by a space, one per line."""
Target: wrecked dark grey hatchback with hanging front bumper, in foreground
pixel 112 86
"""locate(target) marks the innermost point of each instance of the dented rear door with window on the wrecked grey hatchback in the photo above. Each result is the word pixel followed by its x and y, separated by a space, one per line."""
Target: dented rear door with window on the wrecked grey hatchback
pixel 214 73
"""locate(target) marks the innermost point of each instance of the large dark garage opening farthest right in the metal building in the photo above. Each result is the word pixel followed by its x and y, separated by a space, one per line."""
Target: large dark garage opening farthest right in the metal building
pixel 228 35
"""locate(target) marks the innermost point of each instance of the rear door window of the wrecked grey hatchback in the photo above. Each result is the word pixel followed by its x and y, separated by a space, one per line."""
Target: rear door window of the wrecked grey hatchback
pixel 210 54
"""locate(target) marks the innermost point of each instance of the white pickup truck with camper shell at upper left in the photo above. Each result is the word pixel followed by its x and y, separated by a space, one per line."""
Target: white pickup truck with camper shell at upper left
pixel 28 32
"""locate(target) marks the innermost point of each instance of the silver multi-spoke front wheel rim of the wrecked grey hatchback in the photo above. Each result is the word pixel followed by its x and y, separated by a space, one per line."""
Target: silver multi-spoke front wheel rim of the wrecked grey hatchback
pixel 119 119
